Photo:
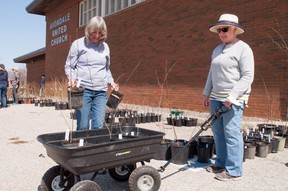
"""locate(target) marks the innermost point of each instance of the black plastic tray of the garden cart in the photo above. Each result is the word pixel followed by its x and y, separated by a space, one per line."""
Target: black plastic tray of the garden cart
pixel 100 149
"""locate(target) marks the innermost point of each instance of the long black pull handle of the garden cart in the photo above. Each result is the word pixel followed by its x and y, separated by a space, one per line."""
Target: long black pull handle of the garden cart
pixel 206 125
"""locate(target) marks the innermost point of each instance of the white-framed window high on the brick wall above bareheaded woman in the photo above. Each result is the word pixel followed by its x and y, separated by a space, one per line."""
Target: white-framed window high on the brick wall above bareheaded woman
pixel 91 8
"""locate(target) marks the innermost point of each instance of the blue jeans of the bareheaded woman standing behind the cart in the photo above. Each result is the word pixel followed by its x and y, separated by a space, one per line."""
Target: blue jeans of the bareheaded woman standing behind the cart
pixel 94 105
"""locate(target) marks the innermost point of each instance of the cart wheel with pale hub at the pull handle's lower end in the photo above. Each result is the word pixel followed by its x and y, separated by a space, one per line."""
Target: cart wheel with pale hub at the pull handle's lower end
pixel 144 178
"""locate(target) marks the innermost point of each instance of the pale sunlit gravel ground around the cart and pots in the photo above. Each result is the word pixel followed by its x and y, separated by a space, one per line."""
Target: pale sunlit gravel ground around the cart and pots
pixel 24 160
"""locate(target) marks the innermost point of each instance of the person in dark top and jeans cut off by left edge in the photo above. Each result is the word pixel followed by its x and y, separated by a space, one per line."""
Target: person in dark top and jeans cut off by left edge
pixel 3 86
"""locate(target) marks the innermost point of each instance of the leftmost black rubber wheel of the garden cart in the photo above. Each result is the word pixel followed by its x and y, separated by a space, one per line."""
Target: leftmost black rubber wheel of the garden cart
pixel 52 174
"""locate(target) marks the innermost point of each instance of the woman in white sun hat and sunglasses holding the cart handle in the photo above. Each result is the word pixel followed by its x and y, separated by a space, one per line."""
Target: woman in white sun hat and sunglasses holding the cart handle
pixel 229 84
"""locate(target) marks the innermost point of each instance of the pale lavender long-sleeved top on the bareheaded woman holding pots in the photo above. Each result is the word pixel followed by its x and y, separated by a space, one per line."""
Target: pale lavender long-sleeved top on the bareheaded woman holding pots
pixel 89 64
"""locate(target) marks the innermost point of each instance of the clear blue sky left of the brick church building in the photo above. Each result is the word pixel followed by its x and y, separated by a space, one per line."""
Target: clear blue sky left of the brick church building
pixel 20 32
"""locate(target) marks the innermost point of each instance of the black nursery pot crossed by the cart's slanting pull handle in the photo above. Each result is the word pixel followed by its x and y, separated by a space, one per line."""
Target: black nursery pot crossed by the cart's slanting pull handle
pixel 181 157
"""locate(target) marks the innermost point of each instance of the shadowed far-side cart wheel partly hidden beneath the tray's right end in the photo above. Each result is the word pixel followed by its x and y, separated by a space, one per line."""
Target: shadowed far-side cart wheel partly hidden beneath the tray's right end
pixel 121 173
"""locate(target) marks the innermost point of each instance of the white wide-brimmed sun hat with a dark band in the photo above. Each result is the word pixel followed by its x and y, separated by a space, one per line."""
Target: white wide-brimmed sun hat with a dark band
pixel 227 20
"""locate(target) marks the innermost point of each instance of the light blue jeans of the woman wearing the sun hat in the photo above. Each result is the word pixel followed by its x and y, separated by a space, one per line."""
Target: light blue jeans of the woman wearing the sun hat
pixel 228 139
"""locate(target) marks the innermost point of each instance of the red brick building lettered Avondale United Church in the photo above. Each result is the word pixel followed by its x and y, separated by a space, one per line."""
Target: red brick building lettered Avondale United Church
pixel 147 38
